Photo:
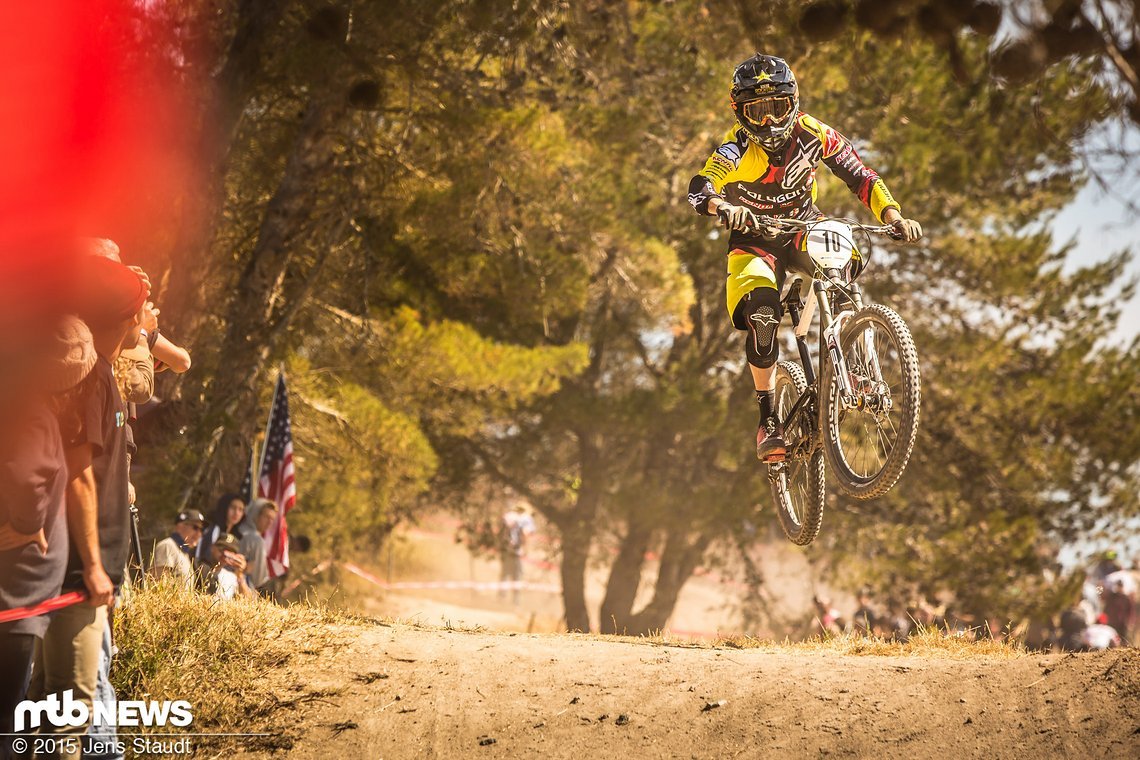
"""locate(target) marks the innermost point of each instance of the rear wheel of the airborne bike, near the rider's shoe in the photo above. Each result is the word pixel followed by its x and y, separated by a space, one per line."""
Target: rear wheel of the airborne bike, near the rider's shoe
pixel 799 481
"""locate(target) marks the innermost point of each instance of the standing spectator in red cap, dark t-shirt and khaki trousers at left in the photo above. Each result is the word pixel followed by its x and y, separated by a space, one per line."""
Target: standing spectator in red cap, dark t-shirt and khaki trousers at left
pixel 97 501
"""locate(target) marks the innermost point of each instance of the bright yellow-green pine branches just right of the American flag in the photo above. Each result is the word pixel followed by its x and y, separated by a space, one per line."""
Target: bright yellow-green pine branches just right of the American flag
pixel 363 431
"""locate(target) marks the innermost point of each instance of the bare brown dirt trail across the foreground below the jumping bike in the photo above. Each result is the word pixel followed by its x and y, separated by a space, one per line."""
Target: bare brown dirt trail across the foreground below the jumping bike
pixel 403 692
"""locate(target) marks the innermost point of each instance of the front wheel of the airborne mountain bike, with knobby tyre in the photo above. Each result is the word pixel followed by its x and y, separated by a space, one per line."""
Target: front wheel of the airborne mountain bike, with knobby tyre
pixel 869 445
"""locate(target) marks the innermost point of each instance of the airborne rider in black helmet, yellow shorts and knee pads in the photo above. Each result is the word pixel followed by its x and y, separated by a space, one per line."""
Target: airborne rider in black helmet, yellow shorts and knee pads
pixel 766 167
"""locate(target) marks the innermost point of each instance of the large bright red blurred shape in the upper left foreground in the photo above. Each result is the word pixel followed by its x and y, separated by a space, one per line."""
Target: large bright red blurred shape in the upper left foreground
pixel 89 99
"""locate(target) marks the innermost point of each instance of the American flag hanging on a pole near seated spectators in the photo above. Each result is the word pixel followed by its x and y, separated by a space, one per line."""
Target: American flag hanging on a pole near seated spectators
pixel 276 479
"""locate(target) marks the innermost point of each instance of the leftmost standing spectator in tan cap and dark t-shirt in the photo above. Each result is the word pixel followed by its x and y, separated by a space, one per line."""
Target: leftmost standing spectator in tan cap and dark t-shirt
pixel 34 528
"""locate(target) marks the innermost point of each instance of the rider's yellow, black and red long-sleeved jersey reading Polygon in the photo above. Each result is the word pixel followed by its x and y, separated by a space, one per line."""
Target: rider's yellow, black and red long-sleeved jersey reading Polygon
pixel 784 185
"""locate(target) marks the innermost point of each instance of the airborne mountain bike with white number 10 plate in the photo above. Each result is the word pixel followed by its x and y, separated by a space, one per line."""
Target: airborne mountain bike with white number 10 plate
pixel 861 410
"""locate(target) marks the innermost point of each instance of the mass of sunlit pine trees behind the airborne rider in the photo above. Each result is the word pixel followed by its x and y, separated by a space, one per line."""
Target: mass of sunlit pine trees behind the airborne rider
pixel 465 227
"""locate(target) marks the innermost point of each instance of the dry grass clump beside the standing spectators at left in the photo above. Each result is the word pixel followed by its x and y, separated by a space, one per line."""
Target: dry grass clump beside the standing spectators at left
pixel 225 658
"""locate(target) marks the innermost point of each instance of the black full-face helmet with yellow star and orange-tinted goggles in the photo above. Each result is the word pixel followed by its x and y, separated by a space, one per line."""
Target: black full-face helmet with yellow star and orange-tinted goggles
pixel 766 100
